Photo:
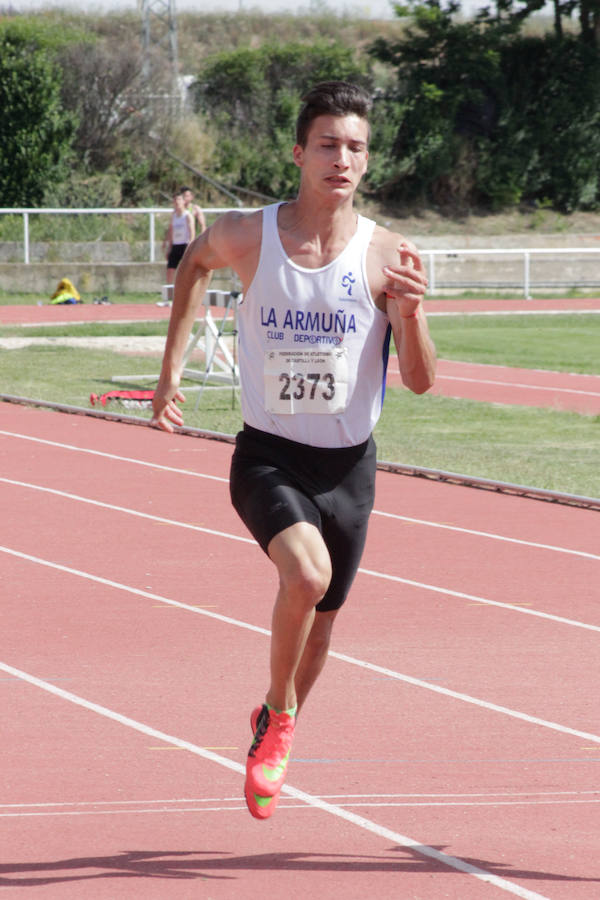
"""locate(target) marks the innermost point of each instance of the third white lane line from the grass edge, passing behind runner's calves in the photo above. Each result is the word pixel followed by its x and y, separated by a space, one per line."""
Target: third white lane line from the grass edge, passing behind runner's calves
pixel 371 667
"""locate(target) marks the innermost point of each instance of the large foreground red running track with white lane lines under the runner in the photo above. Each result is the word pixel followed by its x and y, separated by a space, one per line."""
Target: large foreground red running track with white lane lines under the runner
pixel 449 750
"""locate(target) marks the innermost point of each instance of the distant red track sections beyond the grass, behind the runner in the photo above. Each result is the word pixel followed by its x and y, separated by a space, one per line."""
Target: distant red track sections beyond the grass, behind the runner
pixel 498 384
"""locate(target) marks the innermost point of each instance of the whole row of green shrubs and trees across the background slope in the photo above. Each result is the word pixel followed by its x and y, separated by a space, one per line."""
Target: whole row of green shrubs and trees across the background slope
pixel 467 114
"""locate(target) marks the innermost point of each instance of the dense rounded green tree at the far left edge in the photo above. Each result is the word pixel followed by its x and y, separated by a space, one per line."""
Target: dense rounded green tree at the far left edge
pixel 35 130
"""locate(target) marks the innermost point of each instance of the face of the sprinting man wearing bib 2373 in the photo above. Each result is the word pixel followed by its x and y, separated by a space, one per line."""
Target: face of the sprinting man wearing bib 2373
pixel 335 157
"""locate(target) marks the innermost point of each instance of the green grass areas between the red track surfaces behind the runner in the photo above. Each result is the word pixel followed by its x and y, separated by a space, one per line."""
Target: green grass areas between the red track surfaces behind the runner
pixel 540 448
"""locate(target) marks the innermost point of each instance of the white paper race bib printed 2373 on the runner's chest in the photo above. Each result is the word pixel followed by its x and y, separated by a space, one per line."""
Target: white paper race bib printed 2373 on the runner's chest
pixel 306 381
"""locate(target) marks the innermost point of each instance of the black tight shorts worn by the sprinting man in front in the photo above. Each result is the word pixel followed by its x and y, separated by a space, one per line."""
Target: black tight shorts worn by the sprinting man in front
pixel 276 483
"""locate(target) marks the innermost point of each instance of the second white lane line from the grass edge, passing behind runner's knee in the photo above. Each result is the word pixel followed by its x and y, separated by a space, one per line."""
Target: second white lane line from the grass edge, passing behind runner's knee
pixel 374 574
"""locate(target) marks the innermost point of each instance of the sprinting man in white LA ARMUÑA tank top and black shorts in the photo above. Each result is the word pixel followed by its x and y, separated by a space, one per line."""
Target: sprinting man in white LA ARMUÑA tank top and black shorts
pixel 323 288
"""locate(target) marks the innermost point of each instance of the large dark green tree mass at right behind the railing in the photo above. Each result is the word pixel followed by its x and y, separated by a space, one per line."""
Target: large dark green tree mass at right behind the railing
pixel 488 117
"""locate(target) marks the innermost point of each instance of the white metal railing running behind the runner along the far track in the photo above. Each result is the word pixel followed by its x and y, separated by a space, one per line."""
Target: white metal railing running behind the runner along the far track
pixel 525 252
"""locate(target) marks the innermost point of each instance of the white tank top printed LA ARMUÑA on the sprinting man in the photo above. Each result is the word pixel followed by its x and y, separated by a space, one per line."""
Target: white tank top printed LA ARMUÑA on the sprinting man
pixel 313 346
